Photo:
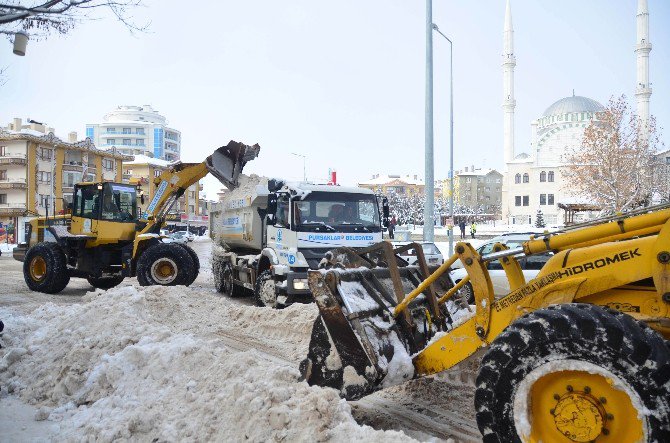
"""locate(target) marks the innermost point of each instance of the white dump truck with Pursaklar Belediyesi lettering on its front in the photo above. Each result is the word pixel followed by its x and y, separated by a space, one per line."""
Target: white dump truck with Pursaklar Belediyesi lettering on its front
pixel 269 233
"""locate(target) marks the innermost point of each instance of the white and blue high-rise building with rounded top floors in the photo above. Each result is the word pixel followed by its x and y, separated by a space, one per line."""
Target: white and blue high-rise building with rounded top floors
pixel 136 130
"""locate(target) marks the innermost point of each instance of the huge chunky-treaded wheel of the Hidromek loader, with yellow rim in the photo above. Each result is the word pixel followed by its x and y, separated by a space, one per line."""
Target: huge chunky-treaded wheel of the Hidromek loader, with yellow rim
pixel 575 372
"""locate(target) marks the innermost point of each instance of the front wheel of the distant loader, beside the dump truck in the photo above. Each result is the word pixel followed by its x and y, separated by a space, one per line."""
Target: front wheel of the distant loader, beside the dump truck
pixel 165 264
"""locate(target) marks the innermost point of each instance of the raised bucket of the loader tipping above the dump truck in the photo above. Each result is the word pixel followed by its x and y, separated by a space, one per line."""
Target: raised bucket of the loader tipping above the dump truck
pixel 226 163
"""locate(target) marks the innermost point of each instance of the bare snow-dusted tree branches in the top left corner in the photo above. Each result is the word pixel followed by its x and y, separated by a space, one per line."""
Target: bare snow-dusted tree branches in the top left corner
pixel 43 18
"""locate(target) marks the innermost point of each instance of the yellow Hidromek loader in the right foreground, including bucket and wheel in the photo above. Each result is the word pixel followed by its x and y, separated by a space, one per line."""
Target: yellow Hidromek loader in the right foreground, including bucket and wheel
pixel 577 354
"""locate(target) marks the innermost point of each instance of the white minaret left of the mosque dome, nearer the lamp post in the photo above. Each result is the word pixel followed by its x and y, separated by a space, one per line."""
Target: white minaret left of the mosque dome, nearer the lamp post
pixel 509 61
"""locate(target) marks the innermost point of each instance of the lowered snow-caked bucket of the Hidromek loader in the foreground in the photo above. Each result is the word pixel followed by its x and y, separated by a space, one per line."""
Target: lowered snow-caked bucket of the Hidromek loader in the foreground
pixel 357 345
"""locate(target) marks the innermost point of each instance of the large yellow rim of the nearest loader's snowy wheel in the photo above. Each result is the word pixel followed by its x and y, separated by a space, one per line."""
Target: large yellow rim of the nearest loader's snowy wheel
pixel 576 401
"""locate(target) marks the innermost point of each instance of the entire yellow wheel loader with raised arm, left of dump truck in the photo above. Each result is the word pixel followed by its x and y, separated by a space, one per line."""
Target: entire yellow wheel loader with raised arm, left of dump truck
pixel 105 239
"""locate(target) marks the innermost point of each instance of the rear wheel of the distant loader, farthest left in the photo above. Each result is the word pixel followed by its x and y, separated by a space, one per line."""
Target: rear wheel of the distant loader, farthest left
pixel 45 268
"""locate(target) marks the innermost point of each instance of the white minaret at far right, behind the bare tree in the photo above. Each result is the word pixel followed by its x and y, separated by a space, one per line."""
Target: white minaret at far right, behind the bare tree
pixel 642 50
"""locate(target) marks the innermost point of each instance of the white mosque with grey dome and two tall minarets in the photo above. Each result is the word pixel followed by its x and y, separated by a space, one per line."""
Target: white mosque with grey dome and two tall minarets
pixel 533 180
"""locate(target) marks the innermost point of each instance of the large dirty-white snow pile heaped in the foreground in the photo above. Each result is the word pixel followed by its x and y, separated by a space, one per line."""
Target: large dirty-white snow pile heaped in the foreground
pixel 153 364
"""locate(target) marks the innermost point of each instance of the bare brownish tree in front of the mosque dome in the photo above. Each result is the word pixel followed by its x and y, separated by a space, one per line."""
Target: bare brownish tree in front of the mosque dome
pixel 614 166
